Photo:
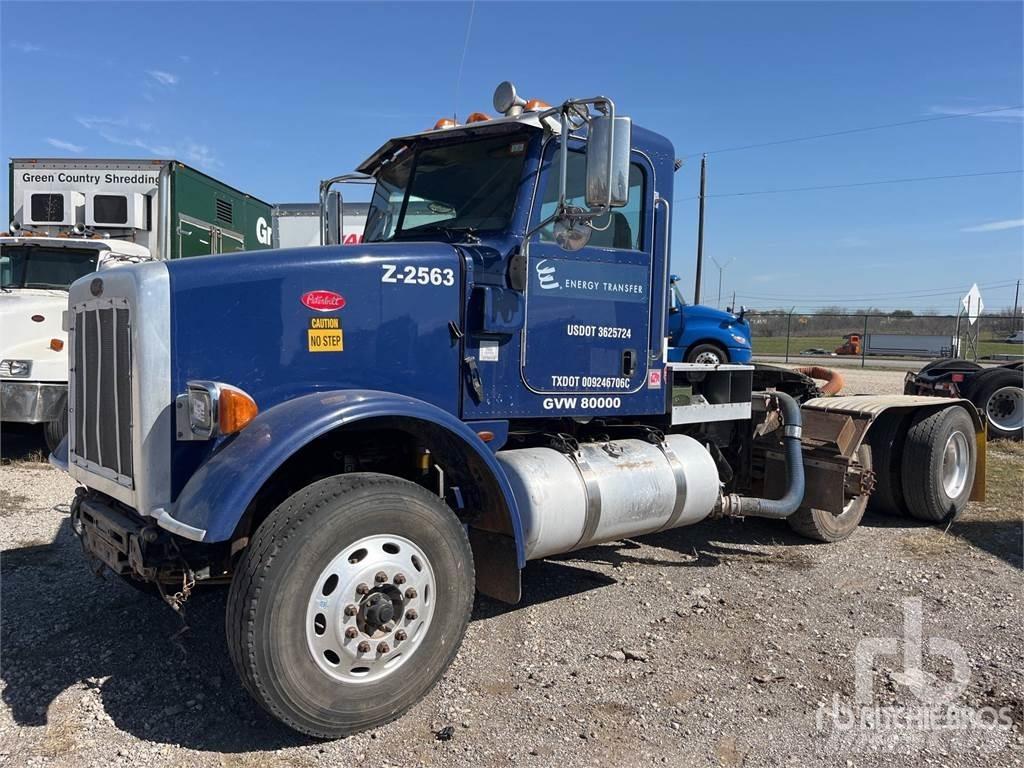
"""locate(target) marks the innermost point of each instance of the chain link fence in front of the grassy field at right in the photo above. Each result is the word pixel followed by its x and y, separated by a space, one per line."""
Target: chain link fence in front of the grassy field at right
pixel 863 336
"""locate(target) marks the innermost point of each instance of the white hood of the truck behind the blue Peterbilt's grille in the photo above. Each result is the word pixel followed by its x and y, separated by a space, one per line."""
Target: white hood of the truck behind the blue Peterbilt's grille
pixel 27 339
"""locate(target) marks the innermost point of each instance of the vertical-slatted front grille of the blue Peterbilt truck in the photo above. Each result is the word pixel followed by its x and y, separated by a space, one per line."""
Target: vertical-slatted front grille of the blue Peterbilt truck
pixel 101 389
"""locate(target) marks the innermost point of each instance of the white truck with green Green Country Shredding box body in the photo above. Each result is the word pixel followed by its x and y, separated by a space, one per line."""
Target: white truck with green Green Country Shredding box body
pixel 72 217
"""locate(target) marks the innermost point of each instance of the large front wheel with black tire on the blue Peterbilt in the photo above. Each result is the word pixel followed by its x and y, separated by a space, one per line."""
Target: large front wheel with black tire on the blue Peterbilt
pixel 306 570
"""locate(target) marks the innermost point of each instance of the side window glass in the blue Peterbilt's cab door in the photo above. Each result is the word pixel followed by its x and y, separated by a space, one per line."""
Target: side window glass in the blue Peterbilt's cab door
pixel 623 229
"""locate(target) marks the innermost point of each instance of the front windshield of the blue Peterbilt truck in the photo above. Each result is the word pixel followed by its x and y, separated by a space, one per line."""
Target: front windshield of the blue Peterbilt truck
pixel 458 188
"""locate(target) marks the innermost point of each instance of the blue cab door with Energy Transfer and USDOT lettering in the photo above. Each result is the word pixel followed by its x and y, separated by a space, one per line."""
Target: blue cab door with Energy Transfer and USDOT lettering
pixel 589 312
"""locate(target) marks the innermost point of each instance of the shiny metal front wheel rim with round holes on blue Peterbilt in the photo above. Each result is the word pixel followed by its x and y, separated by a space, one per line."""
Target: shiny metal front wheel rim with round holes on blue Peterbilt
pixel 371 609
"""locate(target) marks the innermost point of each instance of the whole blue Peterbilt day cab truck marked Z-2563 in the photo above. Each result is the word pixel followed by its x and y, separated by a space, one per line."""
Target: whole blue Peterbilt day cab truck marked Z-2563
pixel 359 438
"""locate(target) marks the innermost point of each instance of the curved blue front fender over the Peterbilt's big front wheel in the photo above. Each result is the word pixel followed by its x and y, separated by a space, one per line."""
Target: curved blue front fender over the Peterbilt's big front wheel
pixel 217 497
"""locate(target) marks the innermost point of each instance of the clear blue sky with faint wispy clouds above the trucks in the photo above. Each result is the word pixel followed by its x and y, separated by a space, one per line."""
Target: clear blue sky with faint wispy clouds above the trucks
pixel 272 98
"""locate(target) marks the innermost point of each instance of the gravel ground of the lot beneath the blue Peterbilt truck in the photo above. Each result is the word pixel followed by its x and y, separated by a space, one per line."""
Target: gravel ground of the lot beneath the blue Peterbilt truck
pixel 710 646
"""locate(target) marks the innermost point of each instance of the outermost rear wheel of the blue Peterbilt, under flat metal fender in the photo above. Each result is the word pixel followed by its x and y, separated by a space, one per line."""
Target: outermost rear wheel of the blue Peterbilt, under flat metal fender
pixel 938 464
